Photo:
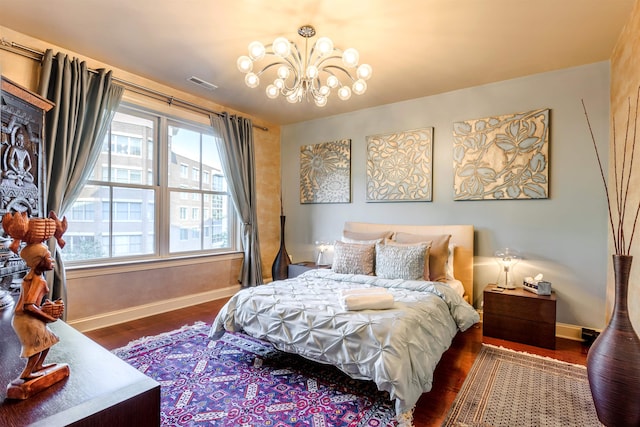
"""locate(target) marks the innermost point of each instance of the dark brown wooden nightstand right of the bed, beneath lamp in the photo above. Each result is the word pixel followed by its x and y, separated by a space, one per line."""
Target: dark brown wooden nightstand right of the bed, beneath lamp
pixel 521 316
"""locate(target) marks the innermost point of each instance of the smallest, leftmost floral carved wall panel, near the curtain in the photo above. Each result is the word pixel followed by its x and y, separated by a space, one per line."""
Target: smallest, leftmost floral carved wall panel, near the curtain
pixel 325 172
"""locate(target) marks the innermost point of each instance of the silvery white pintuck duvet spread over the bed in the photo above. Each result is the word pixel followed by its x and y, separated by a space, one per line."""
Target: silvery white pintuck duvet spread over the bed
pixel 397 348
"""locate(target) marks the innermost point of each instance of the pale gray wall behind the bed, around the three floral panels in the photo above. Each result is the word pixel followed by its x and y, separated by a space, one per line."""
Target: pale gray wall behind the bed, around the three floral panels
pixel 564 237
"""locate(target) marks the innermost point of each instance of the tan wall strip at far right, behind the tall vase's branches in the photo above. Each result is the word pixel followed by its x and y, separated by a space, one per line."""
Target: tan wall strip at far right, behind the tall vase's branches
pixel 625 81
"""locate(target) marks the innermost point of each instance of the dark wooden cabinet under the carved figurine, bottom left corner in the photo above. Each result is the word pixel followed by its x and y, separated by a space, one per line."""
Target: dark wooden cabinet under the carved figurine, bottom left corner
pixel 101 390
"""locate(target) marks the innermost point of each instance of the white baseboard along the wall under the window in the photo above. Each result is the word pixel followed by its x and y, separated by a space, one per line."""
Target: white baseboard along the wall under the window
pixel 121 316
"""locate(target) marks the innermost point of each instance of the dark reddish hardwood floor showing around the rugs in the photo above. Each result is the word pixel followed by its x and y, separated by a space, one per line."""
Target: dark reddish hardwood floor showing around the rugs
pixel 432 407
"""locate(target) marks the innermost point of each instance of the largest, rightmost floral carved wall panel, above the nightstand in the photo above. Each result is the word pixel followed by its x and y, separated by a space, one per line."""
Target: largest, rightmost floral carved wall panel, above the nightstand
pixel 504 157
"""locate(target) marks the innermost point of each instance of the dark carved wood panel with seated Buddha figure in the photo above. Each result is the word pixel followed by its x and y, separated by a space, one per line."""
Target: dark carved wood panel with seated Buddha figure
pixel 22 161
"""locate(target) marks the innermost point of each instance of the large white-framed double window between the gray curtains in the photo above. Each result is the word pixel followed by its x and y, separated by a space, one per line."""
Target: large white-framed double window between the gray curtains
pixel 149 194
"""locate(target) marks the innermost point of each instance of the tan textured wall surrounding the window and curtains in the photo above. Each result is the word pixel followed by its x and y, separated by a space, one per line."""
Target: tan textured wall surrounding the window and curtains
pixel 91 294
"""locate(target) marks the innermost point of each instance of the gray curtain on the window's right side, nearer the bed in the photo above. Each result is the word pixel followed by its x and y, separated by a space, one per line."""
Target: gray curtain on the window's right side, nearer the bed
pixel 238 165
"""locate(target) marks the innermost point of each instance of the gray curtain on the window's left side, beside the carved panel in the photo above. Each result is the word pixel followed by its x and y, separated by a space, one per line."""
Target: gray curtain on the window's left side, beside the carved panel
pixel 85 102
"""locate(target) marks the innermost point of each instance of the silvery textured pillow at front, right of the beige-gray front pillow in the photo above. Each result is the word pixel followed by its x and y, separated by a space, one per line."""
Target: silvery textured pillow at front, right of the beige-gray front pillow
pixel 401 261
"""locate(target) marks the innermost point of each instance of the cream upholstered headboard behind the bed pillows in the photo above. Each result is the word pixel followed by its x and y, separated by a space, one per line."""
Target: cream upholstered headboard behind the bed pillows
pixel 461 238
